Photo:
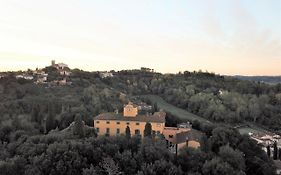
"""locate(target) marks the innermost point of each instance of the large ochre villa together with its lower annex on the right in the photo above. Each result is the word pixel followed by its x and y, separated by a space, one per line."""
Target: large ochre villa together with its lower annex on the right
pixel 114 123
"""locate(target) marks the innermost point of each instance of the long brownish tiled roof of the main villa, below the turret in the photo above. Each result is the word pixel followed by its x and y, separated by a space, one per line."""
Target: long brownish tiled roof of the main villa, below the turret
pixel 156 118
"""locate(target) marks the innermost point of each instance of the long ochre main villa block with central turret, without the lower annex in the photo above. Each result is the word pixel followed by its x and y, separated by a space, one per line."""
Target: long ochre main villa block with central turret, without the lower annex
pixel 113 124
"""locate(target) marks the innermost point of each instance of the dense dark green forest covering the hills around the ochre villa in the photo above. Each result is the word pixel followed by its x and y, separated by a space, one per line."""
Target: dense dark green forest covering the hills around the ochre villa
pixel 48 129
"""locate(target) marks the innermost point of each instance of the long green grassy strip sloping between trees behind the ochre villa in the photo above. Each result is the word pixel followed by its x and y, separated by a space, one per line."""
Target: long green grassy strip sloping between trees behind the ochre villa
pixel 180 113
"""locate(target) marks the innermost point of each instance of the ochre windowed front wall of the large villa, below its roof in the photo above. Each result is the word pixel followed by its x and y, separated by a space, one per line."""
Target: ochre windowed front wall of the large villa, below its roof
pixel 102 125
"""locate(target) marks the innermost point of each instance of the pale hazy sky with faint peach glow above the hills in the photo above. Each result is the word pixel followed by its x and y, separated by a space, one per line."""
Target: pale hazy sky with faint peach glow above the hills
pixel 222 36
